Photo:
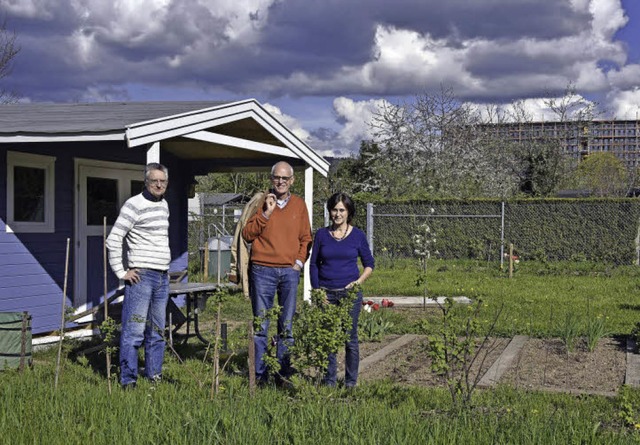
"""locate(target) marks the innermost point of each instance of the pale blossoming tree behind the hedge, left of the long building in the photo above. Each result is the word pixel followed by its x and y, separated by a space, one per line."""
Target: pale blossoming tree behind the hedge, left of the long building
pixel 440 146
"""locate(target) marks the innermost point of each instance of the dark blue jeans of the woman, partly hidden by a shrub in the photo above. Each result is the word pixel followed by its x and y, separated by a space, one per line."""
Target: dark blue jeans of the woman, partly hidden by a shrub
pixel 352 348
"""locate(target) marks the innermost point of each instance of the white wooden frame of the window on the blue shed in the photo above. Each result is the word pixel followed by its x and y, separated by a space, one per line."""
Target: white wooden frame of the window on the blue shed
pixel 46 163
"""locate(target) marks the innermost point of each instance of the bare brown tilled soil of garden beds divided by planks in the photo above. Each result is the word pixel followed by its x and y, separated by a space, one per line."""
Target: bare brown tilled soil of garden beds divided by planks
pixel 541 364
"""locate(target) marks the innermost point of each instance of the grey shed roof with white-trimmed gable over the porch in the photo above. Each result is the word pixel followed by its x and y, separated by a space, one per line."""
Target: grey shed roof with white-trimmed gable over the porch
pixel 192 130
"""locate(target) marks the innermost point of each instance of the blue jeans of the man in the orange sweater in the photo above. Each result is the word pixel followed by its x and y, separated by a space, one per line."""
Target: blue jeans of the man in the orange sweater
pixel 265 283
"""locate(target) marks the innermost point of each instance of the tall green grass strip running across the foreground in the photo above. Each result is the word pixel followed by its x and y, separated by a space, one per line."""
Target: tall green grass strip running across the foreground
pixel 82 411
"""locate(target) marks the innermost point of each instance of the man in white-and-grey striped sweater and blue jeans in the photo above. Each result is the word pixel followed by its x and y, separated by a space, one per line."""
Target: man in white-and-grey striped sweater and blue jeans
pixel 139 254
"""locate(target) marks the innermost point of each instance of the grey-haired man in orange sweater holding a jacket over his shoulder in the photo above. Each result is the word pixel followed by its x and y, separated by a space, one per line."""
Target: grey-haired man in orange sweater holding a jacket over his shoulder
pixel 281 238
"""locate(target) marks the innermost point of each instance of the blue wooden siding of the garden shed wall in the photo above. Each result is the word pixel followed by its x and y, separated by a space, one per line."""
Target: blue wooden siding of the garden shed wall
pixel 32 265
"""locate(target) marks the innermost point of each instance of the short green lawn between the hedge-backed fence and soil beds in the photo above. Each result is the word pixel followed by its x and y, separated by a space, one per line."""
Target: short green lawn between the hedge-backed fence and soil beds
pixel 535 300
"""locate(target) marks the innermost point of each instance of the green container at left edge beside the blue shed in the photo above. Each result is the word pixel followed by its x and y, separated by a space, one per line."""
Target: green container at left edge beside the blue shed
pixel 15 339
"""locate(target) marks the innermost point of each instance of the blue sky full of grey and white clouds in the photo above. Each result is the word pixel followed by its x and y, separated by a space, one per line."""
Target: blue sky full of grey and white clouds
pixel 324 66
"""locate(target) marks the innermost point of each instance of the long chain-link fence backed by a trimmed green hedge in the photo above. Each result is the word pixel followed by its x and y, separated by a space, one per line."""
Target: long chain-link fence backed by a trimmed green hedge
pixel 560 229
